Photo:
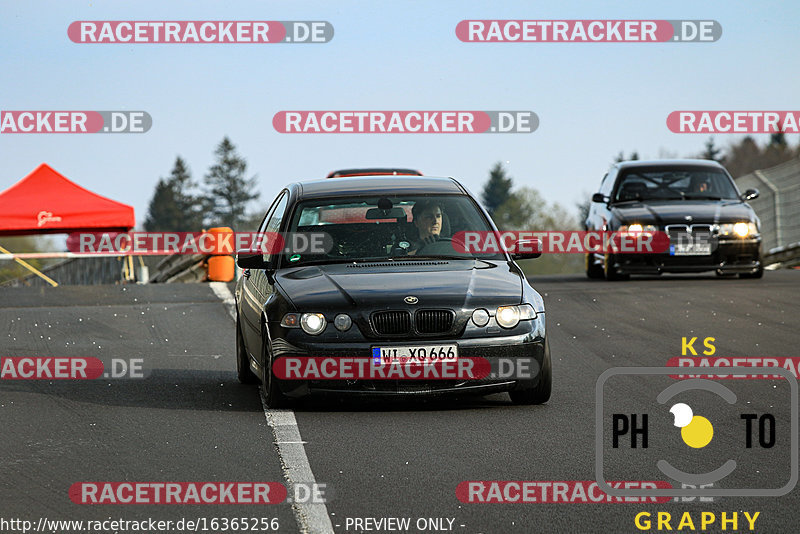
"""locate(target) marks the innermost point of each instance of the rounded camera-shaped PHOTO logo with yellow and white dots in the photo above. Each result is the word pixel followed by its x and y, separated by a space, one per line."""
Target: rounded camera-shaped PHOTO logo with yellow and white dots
pixel 708 439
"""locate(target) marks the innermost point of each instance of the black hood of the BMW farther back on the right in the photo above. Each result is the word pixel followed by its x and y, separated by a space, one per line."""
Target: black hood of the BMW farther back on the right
pixel 676 212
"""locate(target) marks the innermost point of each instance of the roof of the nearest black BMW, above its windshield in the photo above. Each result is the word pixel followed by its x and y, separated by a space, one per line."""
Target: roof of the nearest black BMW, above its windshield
pixel 377 185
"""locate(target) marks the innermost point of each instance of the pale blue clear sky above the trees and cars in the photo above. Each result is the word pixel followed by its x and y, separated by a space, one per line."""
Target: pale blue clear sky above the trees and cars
pixel 593 100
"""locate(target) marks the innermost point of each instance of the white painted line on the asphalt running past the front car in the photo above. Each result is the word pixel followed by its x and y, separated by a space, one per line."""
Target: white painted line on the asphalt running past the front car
pixel 312 518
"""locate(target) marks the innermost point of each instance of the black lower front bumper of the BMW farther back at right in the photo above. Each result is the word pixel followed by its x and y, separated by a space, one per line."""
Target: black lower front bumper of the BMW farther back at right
pixel 727 256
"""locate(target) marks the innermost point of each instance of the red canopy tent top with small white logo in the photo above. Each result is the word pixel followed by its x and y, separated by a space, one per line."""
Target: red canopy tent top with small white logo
pixel 45 202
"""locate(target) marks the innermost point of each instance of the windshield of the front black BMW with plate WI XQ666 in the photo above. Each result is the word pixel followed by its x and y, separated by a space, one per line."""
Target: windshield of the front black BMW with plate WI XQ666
pixel 387 228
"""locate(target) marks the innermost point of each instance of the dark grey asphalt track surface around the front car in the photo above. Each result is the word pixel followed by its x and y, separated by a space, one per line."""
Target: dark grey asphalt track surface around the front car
pixel 190 420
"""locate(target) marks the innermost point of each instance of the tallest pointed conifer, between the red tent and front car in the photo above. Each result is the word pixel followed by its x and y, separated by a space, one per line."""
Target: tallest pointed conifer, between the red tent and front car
pixel 228 191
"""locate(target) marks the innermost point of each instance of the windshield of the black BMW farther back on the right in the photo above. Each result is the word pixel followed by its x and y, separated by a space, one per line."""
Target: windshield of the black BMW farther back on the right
pixel 654 183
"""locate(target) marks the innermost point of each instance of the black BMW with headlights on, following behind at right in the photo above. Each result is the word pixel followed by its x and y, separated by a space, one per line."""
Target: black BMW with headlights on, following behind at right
pixel 708 222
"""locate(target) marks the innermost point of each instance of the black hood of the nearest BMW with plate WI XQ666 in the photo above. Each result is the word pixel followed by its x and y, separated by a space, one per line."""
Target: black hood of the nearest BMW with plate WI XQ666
pixel 452 284
